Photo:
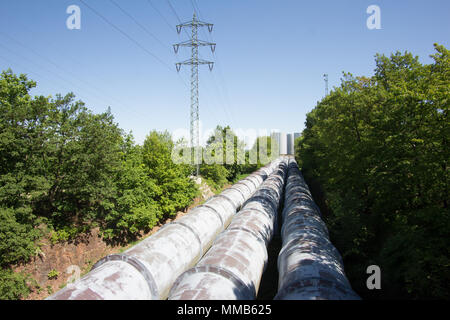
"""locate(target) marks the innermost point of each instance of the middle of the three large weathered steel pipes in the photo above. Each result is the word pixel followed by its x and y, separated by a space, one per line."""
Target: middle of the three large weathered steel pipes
pixel 233 266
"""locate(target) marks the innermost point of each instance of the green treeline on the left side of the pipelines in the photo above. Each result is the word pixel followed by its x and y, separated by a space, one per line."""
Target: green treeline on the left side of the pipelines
pixel 65 171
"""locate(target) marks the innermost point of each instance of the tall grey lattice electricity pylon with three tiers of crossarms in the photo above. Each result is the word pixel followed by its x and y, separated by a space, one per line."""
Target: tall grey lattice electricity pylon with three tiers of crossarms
pixel 194 43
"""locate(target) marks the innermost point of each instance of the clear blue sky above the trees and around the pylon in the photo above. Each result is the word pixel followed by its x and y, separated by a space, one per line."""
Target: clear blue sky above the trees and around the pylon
pixel 270 56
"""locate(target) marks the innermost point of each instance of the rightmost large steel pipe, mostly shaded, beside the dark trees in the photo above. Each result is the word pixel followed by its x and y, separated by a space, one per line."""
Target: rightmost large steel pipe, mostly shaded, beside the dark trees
pixel 309 266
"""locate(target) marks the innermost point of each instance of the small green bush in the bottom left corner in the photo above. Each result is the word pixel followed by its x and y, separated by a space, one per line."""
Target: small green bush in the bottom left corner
pixel 13 286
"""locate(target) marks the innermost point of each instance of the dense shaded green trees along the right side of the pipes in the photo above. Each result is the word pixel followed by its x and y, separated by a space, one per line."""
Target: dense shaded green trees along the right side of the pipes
pixel 375 152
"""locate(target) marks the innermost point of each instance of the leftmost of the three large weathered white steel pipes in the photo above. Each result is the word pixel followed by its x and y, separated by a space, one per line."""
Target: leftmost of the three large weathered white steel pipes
pixel 147 270
